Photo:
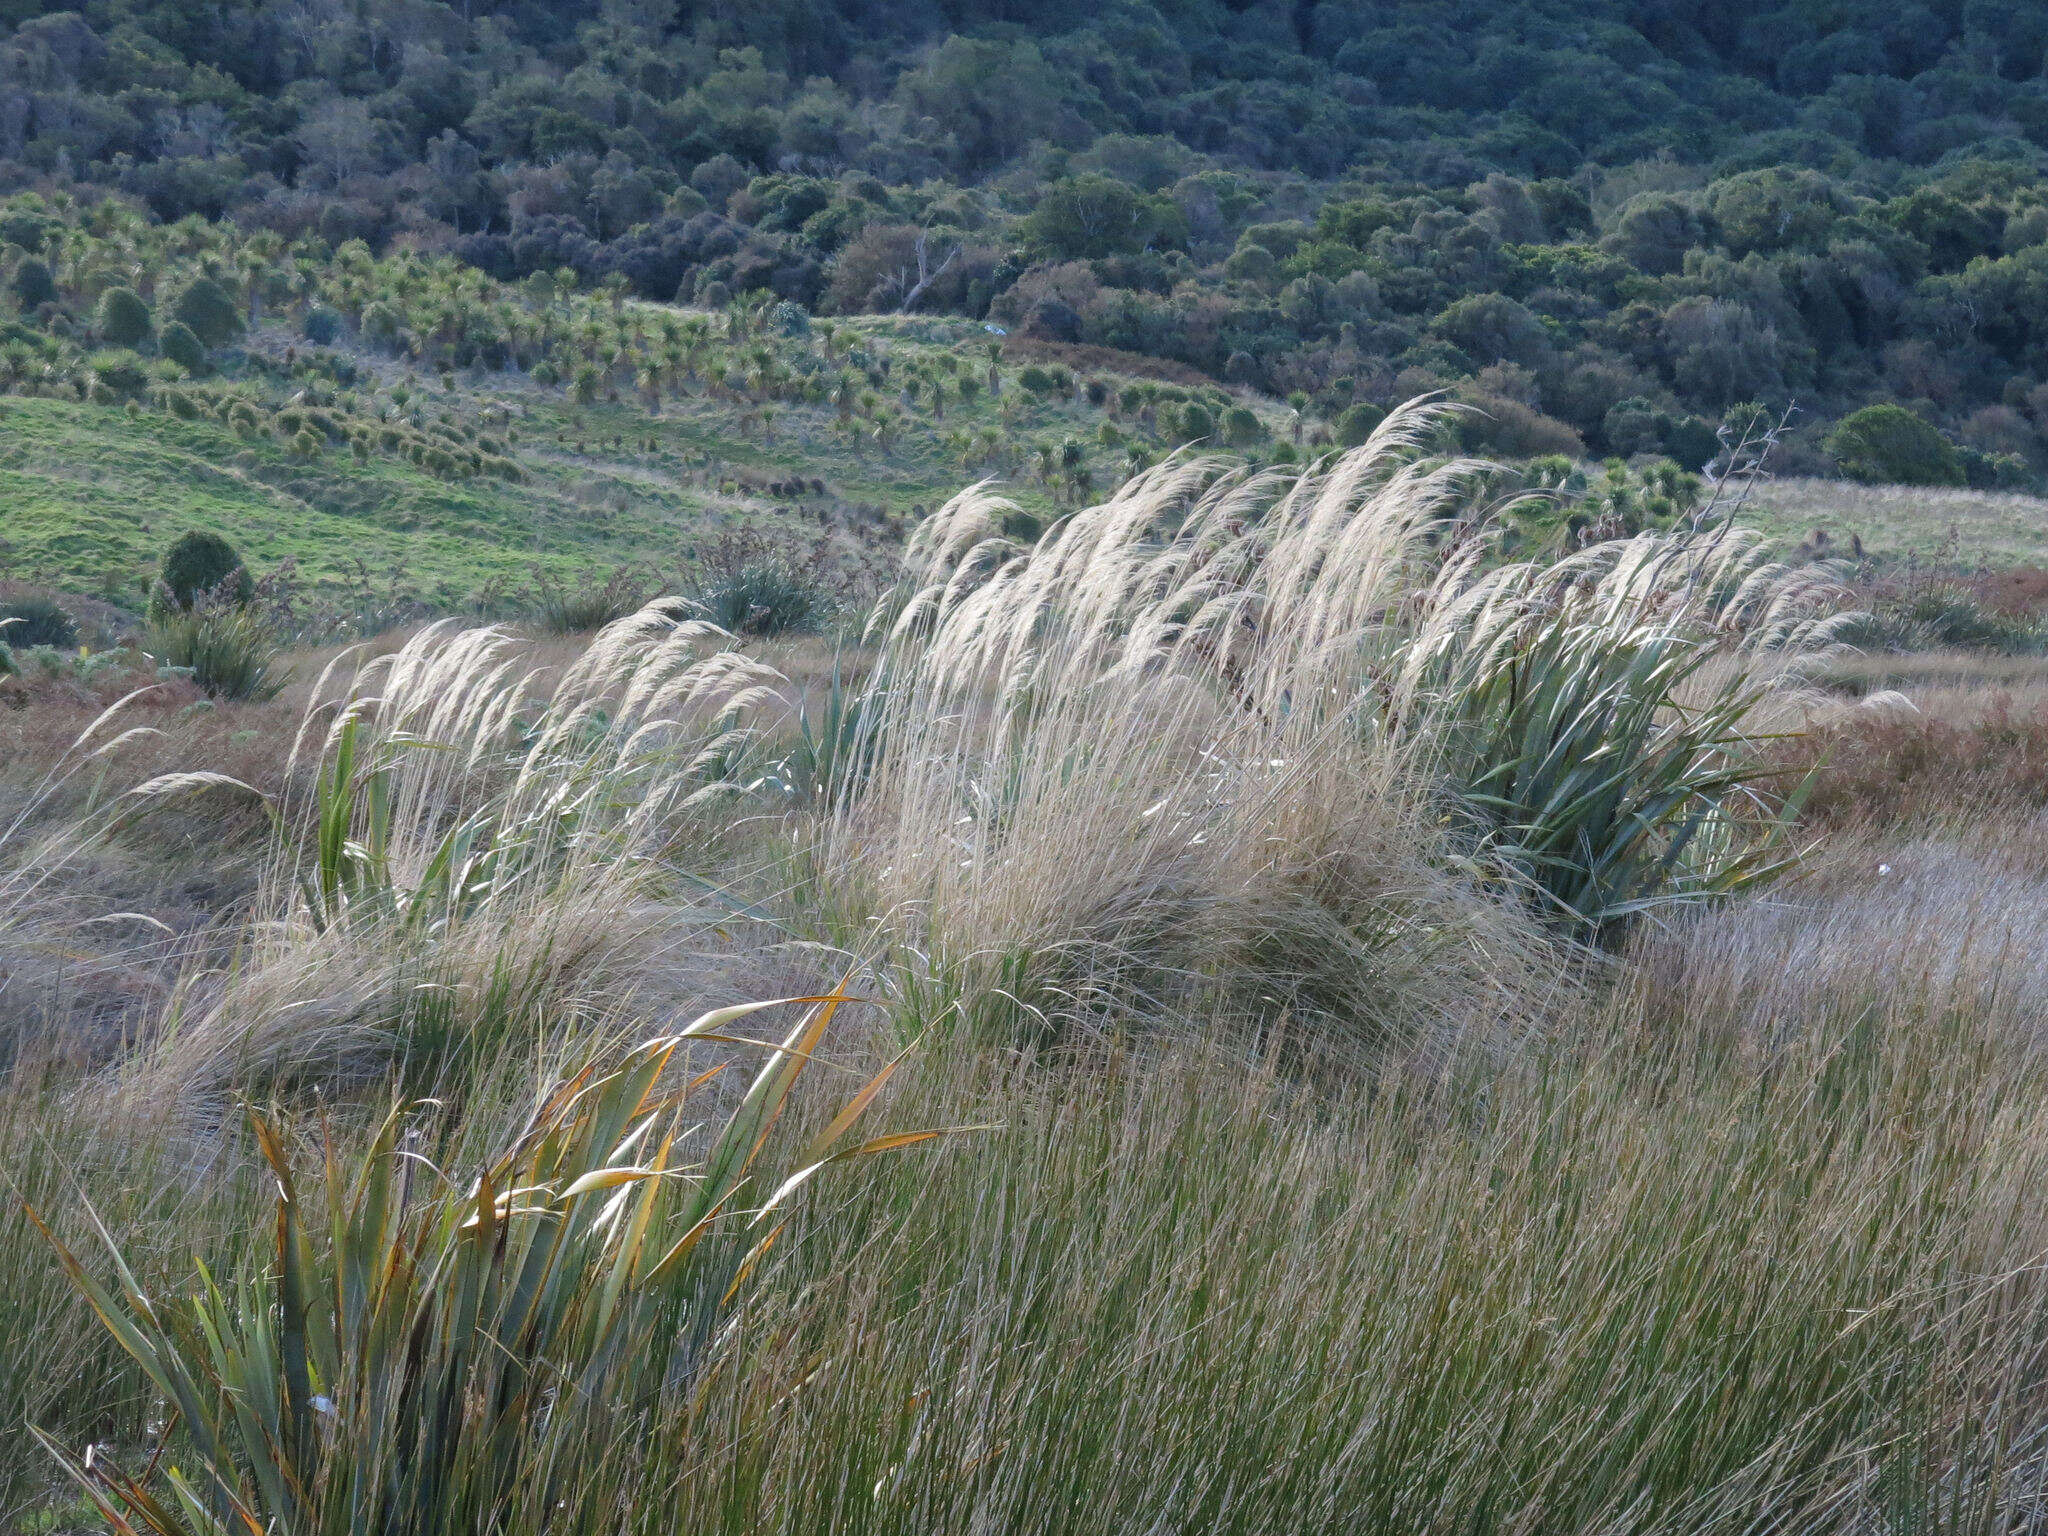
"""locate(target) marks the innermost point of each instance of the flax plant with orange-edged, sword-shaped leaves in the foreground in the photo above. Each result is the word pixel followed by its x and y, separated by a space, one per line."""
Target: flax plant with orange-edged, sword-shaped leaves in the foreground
pixel 417 1355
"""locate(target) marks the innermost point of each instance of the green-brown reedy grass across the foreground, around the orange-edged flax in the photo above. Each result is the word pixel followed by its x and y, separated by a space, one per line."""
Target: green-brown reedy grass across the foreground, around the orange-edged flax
pixel 1666 1273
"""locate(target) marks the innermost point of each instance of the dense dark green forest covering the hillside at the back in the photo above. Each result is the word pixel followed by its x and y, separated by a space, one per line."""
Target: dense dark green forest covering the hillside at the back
pixel 1609 224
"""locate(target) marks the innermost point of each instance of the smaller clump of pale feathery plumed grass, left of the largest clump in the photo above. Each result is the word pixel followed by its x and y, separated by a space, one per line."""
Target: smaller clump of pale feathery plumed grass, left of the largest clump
pixel 478 849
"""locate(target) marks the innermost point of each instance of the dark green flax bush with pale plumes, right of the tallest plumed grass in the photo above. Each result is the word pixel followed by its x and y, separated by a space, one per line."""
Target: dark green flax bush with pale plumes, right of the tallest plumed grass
pixel 1598 716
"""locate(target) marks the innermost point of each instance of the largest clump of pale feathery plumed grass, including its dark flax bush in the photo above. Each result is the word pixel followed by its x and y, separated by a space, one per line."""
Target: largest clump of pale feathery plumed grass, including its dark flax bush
pixel 1205 730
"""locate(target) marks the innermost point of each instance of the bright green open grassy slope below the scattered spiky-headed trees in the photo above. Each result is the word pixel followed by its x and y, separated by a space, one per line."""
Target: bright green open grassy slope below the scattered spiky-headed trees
pixel 89 497
